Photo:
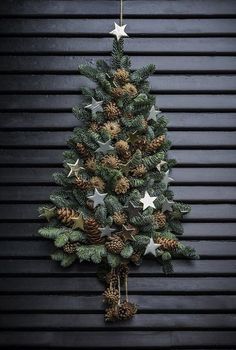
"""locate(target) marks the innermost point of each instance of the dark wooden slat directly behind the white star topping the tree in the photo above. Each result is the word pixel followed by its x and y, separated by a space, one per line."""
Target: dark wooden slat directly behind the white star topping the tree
pixel 76 27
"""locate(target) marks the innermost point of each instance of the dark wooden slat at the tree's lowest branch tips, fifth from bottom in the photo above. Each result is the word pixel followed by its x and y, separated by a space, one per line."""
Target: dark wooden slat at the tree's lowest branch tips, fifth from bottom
pixel 47 267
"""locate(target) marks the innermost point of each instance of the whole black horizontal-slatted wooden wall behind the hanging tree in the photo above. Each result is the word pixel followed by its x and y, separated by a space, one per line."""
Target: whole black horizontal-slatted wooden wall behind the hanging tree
pixel 193 44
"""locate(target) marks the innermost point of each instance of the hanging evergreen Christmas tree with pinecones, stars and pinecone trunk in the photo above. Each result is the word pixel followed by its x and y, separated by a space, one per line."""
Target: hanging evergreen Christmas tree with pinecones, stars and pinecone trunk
pixel 114 205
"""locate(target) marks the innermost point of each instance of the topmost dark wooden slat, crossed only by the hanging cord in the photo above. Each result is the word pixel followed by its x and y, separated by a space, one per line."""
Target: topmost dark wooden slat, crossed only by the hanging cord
pixel 105 7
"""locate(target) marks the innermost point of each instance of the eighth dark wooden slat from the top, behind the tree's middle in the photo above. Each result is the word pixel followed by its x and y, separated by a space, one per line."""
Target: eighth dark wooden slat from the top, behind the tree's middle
pixel 201 139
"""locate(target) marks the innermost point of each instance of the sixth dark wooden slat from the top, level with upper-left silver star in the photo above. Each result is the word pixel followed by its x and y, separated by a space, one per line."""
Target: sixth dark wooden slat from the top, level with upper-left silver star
pixel 198 102
